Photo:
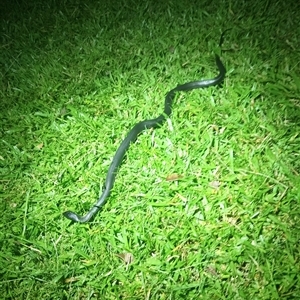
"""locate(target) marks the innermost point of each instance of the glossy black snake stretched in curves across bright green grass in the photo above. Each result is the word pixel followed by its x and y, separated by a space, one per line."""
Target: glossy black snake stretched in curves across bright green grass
pixel 137 129
